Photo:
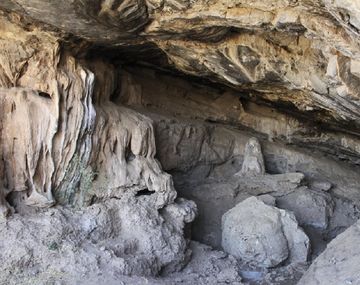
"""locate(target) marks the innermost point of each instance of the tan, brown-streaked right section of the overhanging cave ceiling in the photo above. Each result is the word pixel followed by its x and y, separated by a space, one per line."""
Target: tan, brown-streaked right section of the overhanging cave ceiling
pixel 303 52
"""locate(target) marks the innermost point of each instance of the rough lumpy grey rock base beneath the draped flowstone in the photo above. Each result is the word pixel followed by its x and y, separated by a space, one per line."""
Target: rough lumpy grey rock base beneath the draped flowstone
pixel 126 236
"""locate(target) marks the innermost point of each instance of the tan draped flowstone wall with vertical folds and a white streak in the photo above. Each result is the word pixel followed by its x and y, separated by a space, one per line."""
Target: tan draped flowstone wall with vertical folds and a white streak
pixel 60 133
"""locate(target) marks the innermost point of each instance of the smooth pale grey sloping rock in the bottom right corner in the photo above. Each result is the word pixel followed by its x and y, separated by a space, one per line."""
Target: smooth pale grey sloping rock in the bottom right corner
pixel 339 263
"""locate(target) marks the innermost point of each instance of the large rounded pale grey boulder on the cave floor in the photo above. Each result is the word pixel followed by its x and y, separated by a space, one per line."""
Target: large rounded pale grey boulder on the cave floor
pixel 263 235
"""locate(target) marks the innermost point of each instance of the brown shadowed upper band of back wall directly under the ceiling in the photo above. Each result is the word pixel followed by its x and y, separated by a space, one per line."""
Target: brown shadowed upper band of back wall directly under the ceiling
pixel 224 106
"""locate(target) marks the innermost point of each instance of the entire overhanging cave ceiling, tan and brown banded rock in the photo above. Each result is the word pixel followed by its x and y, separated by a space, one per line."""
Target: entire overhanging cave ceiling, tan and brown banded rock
pixel 301 56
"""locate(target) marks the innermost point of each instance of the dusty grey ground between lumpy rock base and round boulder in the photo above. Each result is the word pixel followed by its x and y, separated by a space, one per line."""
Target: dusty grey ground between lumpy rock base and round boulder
pixel 207 266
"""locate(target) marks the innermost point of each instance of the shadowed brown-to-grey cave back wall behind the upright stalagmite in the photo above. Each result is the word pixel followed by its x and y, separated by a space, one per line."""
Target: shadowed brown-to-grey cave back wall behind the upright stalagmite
pixel 193 150
